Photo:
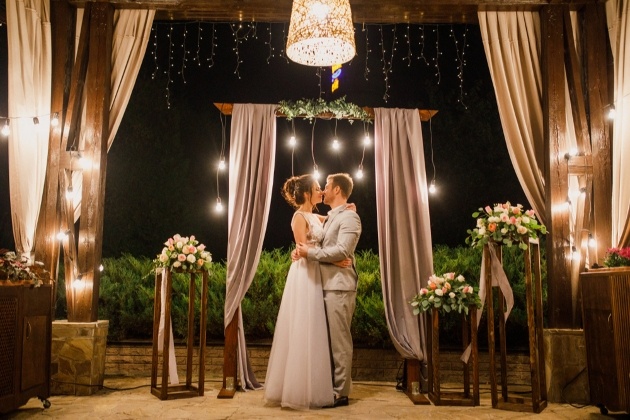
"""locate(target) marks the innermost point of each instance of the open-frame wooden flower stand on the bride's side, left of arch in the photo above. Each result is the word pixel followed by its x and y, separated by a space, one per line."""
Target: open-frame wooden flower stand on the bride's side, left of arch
pixel 165 391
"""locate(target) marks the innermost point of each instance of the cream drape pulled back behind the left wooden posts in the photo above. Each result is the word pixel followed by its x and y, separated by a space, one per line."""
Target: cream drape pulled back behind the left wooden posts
pixel 132 30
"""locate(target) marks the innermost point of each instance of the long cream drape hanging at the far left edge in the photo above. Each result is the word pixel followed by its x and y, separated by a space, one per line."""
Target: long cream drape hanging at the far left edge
pixel 29 77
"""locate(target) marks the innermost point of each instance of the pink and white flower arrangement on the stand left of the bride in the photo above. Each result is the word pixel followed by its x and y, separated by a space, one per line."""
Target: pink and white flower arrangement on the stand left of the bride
pixel 183 253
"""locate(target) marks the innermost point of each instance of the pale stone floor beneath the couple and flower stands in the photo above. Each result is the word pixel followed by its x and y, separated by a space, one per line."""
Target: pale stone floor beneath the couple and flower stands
pixel 130 398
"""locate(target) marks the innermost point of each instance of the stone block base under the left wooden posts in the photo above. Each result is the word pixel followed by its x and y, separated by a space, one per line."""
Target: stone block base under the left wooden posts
pixel 78 357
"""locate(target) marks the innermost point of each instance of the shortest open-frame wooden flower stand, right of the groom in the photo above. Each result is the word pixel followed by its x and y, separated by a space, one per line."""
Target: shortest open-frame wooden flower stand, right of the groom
pixel 436 395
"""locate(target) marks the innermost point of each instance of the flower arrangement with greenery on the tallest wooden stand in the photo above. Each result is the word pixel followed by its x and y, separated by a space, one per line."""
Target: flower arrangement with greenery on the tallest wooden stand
pixel 505 224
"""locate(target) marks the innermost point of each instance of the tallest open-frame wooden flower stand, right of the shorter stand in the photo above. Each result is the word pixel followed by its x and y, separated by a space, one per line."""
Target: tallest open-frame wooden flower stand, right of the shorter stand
pixel 538 401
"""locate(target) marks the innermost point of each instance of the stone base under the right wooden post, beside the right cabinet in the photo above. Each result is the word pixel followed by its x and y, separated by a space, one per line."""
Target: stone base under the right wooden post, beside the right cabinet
pixel 565 364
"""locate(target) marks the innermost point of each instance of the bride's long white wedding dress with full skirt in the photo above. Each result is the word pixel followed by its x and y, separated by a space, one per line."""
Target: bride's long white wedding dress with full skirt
pixel 299 373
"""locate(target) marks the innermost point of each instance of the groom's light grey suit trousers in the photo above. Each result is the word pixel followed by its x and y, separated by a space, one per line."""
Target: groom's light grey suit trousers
pixel 340 306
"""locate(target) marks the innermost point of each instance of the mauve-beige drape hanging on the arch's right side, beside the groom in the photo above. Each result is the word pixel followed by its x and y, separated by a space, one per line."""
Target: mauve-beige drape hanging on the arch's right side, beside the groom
pixel 404 230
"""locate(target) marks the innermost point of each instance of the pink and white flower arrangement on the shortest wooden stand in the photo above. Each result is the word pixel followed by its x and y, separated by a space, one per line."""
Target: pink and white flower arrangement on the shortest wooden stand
pixel 446 293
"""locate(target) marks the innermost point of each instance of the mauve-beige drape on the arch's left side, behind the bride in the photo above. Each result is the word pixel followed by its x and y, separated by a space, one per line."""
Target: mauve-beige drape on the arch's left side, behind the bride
pixel 252 161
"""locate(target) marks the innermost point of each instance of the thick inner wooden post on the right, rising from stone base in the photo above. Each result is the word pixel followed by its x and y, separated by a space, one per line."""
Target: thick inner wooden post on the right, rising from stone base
pixel 556 170
